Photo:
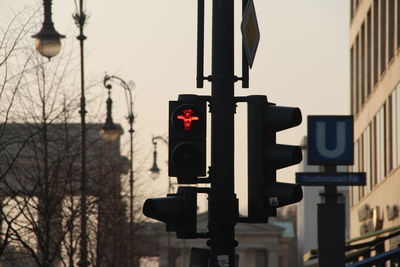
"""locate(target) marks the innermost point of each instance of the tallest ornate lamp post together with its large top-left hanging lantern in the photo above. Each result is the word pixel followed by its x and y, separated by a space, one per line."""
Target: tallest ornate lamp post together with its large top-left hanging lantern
pixel 48 44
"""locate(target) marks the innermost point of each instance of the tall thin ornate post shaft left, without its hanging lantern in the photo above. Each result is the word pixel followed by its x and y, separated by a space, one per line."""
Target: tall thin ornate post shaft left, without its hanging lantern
pixel 83 262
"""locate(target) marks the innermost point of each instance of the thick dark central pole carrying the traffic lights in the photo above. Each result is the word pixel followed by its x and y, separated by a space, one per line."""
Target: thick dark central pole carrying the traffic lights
pixel 223 205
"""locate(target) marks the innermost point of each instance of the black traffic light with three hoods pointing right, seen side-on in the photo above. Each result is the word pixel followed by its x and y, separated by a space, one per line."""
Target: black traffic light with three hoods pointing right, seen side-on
pixel 265 157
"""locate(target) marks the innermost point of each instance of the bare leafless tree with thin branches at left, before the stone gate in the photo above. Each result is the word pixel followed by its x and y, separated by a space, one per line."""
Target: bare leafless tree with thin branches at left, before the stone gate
pixel 39 172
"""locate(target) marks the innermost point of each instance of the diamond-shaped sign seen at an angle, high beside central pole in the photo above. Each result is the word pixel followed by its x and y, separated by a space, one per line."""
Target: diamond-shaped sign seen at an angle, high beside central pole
pixel 250 32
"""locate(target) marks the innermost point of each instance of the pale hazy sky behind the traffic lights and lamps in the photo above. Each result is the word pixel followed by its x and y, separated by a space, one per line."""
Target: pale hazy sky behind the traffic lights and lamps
pixel 302 60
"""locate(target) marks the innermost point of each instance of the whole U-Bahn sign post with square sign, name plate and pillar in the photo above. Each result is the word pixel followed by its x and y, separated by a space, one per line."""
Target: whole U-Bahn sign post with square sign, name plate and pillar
pixel 330 143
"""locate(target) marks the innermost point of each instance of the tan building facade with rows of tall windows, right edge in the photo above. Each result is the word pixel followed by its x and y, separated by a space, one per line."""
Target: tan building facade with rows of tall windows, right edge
pixel 375 104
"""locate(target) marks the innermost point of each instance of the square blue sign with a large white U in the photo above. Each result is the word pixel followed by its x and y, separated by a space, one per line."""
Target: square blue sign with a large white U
pixel 330 140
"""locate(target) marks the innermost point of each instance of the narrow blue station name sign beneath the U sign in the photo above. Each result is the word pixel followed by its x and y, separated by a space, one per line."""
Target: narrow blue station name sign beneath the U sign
pixel 339 178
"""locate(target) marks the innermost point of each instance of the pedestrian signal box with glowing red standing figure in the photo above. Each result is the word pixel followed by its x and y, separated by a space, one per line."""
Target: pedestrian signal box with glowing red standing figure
pixel 187 138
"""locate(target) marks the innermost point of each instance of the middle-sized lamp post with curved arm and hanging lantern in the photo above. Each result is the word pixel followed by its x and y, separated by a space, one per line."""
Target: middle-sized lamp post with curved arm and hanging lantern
pixel 110 132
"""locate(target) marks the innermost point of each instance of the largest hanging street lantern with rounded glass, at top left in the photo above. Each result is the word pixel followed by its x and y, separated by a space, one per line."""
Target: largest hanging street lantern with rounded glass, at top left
pixel 48 42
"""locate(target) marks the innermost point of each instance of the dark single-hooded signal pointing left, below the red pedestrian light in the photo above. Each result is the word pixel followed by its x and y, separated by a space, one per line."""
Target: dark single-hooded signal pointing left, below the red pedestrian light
pixel 178 211
